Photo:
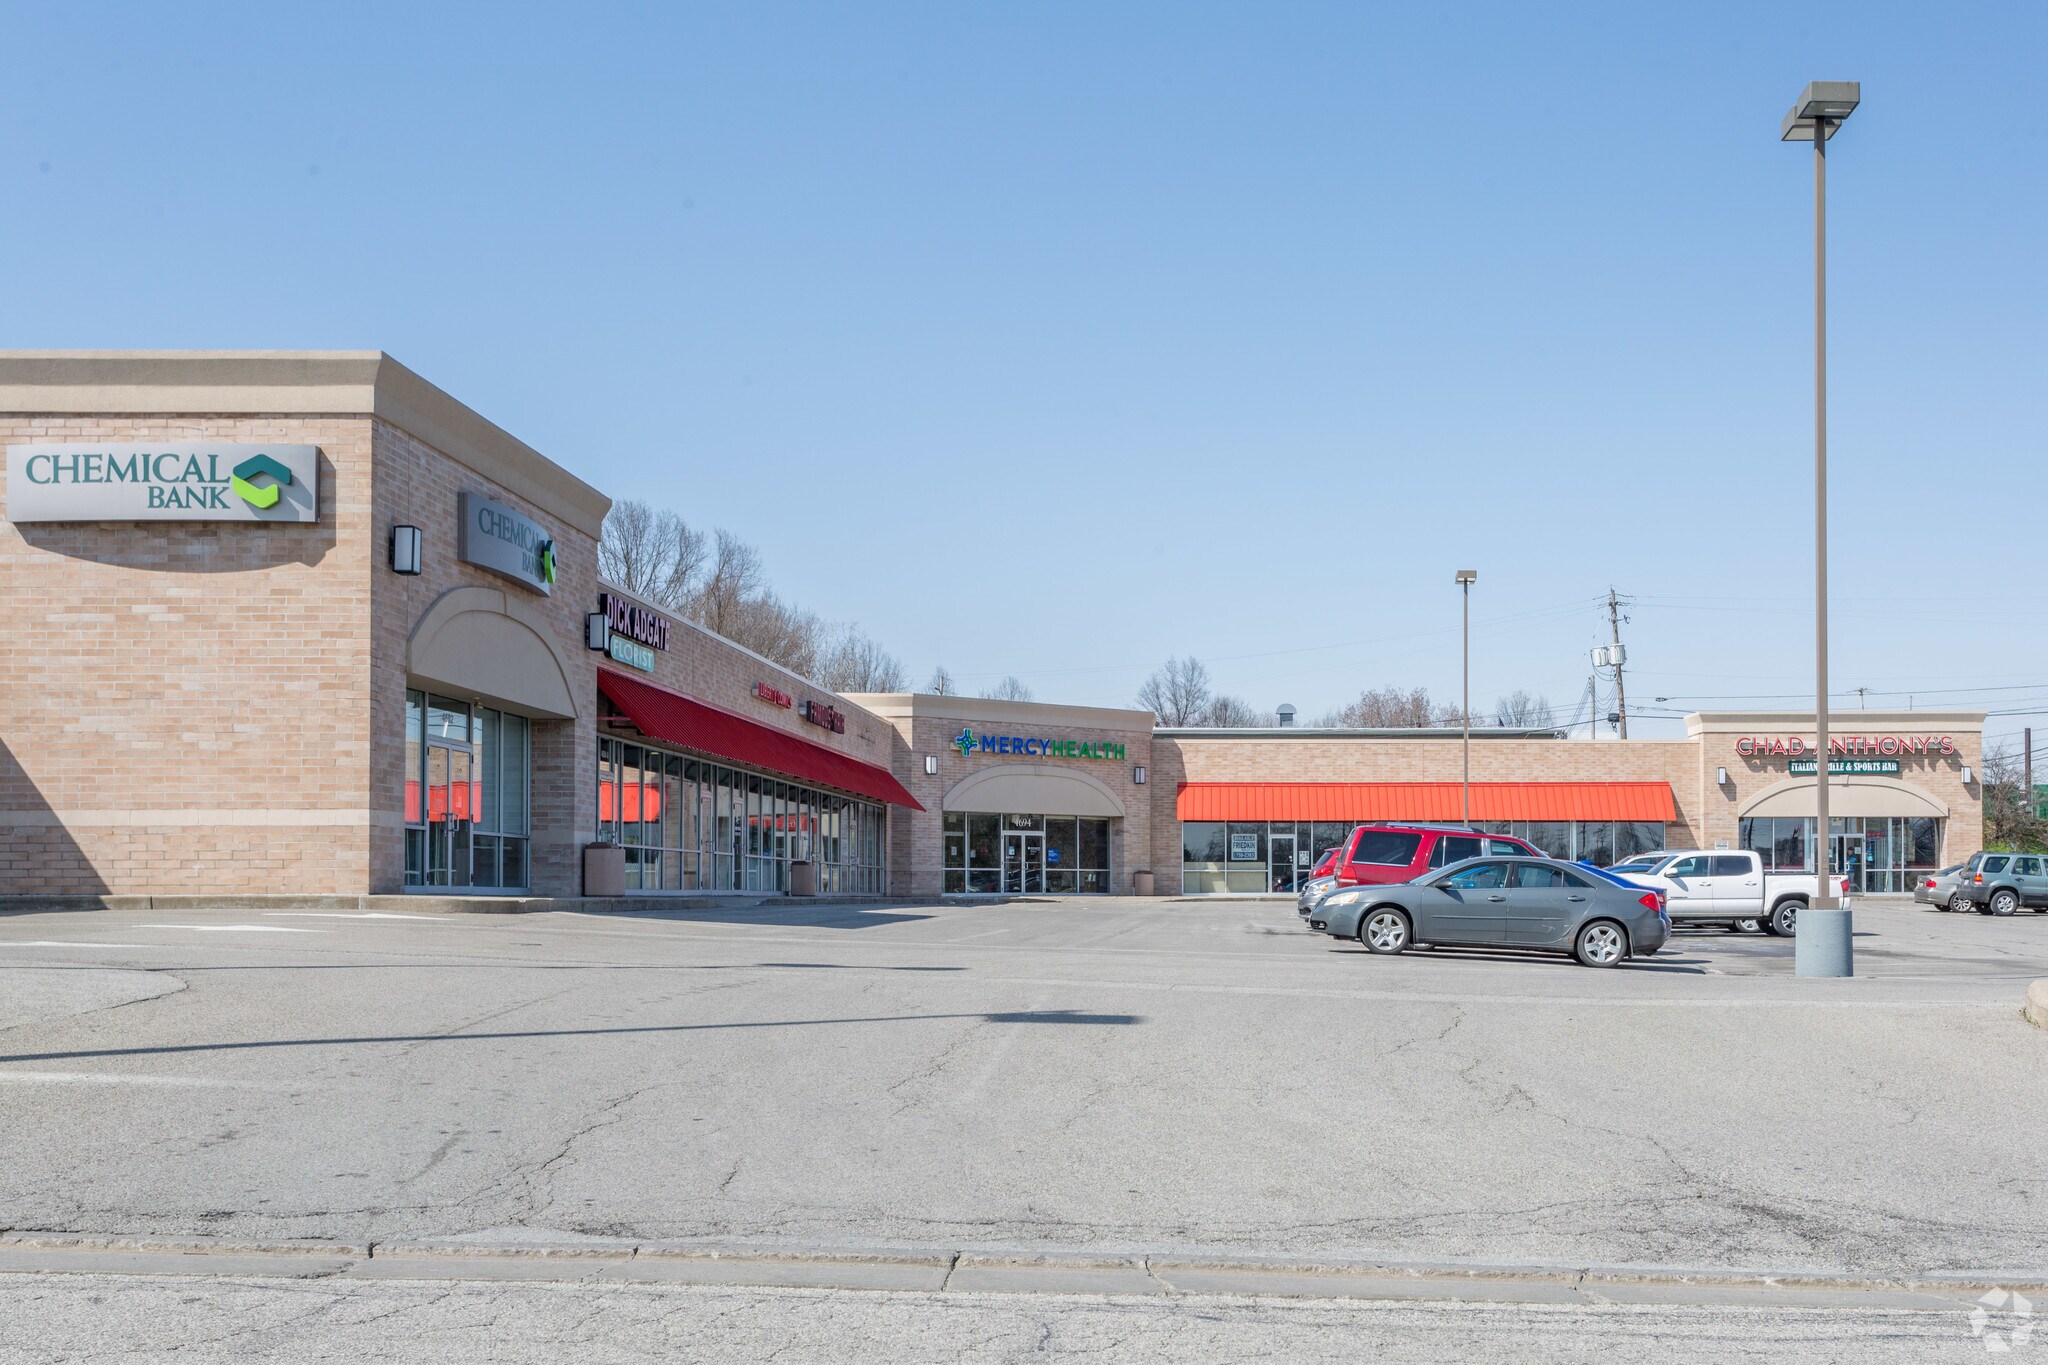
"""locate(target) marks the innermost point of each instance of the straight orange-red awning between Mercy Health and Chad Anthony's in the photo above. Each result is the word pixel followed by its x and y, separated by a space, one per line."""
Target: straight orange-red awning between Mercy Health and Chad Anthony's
pixel 1426 801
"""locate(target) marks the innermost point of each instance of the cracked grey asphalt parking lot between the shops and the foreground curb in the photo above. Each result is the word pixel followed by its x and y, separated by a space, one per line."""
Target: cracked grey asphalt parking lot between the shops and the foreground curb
pixel 1111 1077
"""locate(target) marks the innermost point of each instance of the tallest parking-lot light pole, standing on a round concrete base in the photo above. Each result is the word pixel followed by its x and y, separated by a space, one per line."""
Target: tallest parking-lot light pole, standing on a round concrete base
pixel 1826 940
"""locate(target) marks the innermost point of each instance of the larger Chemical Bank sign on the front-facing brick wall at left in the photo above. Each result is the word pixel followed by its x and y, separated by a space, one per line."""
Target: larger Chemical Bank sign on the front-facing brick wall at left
pixel 163 484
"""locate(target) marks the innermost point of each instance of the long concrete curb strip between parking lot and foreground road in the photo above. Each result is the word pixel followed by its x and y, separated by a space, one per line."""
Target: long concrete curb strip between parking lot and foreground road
pixel 992 1272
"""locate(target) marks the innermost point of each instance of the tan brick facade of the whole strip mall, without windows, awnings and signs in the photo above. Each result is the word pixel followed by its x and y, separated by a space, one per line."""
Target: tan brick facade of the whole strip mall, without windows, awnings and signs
pixel 220 707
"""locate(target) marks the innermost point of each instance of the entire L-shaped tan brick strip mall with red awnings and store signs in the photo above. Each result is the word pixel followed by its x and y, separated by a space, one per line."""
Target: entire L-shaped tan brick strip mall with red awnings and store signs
pixel 302 625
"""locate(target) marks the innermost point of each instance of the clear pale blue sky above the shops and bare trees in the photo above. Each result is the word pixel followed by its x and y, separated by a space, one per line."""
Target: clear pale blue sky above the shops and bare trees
pixel 1060 339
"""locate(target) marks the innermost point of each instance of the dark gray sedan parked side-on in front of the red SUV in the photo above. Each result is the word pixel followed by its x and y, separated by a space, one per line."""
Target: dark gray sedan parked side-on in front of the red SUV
pixel 1535 904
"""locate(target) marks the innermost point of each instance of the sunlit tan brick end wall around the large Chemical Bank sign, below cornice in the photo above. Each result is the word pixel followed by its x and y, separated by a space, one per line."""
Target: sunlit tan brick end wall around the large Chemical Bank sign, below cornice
pixel 183 705
